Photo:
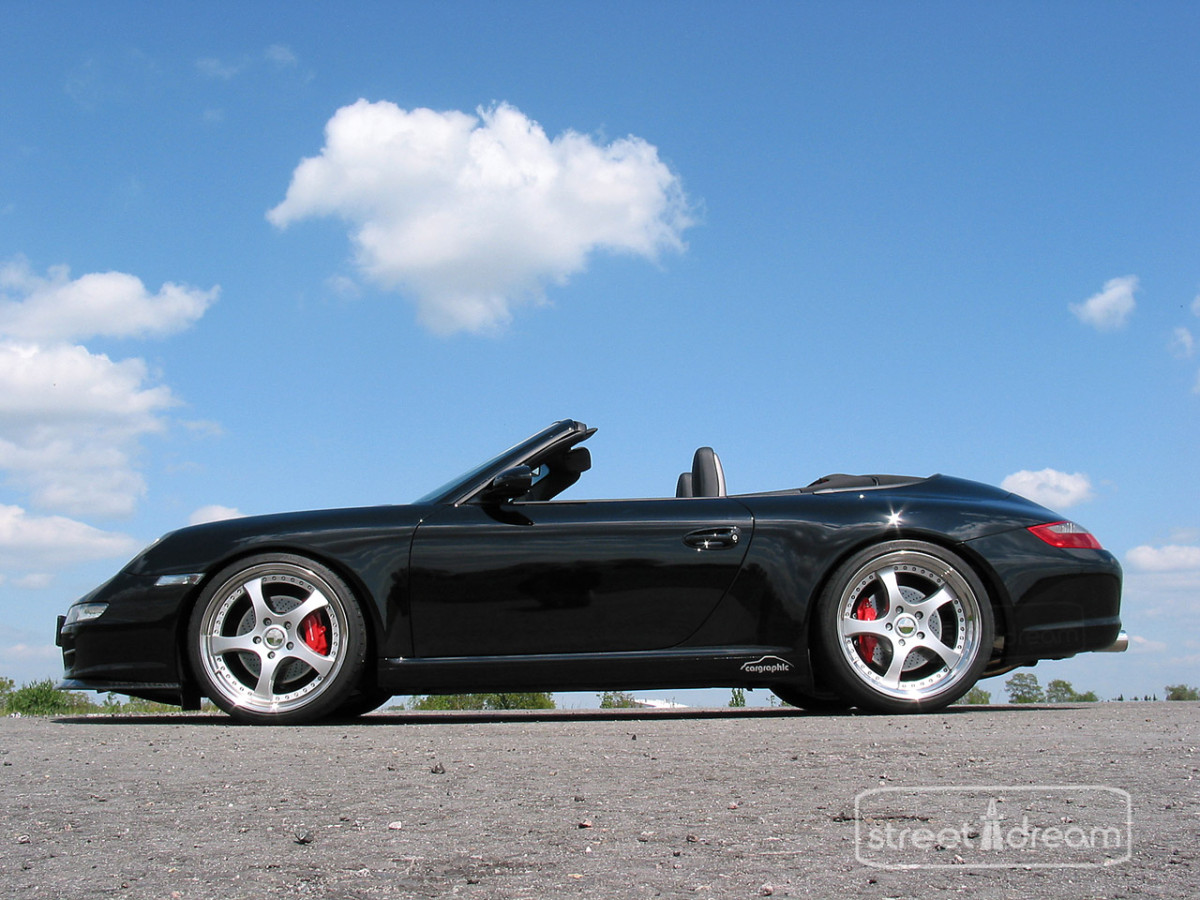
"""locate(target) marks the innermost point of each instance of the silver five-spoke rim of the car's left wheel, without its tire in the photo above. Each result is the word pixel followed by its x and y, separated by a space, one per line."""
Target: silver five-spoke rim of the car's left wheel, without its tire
pixel 273 638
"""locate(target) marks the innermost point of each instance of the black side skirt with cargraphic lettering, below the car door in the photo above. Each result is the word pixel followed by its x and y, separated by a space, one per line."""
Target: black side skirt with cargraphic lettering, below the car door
pixel 641 670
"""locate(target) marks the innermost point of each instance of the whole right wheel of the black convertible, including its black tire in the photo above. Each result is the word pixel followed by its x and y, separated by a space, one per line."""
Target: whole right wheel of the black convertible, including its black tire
pixel 904 627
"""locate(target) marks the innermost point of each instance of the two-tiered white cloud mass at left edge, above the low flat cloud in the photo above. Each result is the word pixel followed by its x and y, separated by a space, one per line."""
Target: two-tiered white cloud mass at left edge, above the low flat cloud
pixel 71 421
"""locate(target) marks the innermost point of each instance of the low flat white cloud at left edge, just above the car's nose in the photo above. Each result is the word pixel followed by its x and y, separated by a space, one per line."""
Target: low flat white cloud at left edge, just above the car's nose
pixel 40 543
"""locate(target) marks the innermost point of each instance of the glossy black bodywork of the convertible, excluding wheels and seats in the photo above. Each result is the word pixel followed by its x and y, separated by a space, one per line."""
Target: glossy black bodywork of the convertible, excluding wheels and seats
pixel 467 591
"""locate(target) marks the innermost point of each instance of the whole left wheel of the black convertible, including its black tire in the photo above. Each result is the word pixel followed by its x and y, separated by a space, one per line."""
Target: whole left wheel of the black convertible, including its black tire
pixel 278 640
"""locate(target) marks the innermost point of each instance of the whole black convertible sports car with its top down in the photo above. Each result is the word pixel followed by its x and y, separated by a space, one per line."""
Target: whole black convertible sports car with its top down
pixel 892 595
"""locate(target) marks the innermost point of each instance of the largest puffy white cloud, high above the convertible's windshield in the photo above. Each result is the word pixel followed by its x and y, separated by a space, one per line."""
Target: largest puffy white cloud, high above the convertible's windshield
pixel 475 215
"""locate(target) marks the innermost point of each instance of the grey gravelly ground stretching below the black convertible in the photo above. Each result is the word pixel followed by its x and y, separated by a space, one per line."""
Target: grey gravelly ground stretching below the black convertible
pixel 577 803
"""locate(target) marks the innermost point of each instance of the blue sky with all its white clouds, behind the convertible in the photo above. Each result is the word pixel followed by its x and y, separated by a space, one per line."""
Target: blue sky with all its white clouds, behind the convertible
pixel 818 237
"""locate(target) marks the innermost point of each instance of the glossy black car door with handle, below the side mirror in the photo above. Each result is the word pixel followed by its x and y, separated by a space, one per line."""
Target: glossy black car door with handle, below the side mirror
pixel 572 577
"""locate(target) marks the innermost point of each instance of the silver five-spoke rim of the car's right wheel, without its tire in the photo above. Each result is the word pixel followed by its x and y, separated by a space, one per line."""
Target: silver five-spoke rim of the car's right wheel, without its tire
pixel 911 628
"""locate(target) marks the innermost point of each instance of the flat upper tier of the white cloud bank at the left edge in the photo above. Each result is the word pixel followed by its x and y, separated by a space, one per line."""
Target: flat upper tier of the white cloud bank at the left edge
pixel 57 308
